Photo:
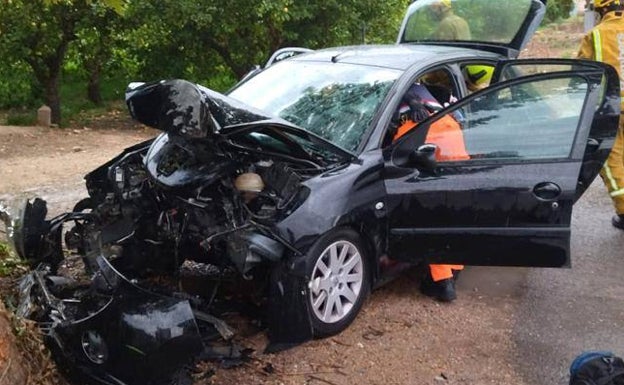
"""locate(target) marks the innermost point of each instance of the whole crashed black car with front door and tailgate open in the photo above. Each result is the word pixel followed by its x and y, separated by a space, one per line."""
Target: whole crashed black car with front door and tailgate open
pixel 293 181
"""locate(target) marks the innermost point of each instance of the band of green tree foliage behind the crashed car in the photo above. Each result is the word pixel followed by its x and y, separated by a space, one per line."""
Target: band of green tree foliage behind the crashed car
pixel 101 44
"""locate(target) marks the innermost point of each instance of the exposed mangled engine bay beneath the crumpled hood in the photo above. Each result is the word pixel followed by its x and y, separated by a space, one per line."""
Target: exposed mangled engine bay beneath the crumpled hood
pixel 222 216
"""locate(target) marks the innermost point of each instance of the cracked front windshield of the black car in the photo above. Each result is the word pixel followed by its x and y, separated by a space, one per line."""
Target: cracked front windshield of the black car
pixel 336 101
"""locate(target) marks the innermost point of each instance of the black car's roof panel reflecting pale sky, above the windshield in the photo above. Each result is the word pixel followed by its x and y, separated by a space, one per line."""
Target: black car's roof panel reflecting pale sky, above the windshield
pixel 397 56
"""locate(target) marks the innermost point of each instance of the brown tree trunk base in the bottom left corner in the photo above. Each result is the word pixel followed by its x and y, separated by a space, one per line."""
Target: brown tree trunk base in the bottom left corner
pixel 12 368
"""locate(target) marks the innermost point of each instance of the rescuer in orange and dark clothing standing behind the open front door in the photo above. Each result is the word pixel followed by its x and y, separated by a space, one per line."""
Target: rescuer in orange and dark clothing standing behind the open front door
pixel 445 133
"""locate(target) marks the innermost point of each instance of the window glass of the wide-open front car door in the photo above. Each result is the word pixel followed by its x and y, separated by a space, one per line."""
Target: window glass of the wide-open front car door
pixel 528 121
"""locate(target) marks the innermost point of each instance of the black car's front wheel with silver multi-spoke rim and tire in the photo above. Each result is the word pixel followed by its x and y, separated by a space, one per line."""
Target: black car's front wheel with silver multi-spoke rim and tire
pixel 340 281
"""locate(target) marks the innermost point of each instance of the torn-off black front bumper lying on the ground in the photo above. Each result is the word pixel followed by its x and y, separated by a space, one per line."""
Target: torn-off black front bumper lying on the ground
pixel 110 330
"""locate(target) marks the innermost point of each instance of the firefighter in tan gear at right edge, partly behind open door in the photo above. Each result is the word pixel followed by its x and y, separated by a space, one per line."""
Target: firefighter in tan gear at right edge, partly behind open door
pixel 605 43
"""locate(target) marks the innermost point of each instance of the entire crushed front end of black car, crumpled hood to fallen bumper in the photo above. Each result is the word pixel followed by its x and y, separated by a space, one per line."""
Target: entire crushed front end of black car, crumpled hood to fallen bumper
pixel 211 190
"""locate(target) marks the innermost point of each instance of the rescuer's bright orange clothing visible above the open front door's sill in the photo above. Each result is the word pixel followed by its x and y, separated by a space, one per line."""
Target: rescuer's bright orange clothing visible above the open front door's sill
pixel 446 134
